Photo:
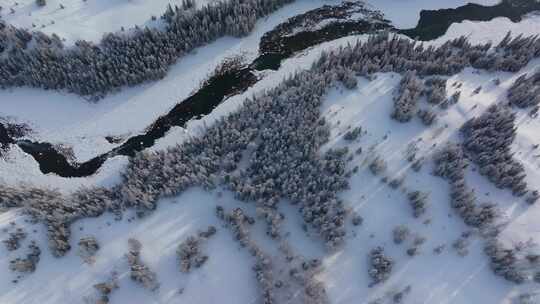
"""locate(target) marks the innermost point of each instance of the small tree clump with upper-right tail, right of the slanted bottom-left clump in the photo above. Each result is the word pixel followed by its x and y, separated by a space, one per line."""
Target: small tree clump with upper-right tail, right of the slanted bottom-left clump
pixel 190 253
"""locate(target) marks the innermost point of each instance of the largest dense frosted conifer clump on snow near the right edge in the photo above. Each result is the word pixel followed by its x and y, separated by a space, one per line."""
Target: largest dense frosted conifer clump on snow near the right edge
pixel 488 141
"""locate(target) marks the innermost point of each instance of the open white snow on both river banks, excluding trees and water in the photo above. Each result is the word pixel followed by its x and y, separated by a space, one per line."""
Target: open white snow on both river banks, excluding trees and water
pixel 227 277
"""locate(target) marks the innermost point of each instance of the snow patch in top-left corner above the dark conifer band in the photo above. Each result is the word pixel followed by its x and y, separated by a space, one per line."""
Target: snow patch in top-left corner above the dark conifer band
pixel 85 19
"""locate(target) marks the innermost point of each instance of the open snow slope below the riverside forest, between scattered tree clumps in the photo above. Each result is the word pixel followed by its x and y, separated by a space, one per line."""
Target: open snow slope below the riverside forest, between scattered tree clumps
pixel 444 278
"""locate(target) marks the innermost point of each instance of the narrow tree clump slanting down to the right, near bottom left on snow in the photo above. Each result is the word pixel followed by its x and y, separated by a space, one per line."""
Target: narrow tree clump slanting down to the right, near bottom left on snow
pixel 139 272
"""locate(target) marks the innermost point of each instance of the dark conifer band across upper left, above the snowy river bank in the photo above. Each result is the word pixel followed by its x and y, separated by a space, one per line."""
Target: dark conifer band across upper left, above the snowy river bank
pixel 124 58
